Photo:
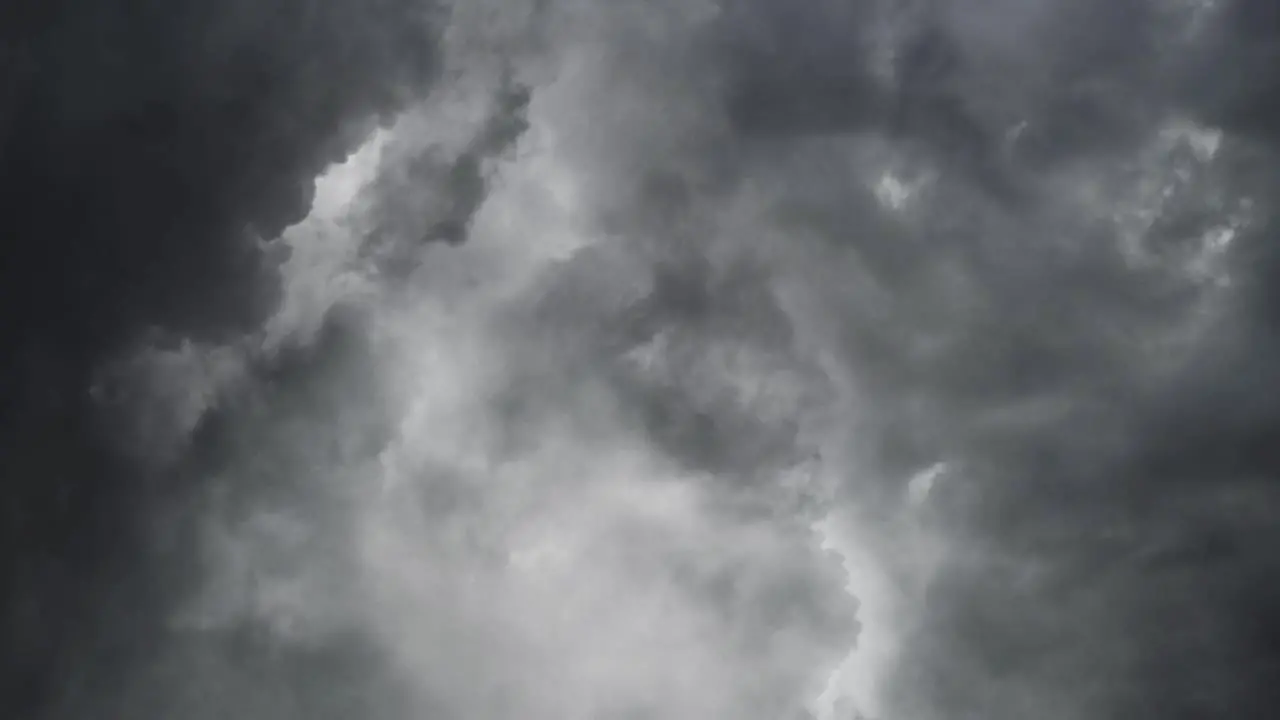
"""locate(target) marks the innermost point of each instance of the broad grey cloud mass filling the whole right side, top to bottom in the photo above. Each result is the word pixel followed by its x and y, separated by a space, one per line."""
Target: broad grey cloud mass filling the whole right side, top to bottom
pixel 1107 417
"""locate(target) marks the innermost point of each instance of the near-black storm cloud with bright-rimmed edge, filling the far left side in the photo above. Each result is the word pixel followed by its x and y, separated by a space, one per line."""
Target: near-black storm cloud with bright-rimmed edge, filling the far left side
pixel 144 148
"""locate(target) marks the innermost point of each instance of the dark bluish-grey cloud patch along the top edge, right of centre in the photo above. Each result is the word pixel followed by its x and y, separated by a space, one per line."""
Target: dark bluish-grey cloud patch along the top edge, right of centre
pixel 998 93
